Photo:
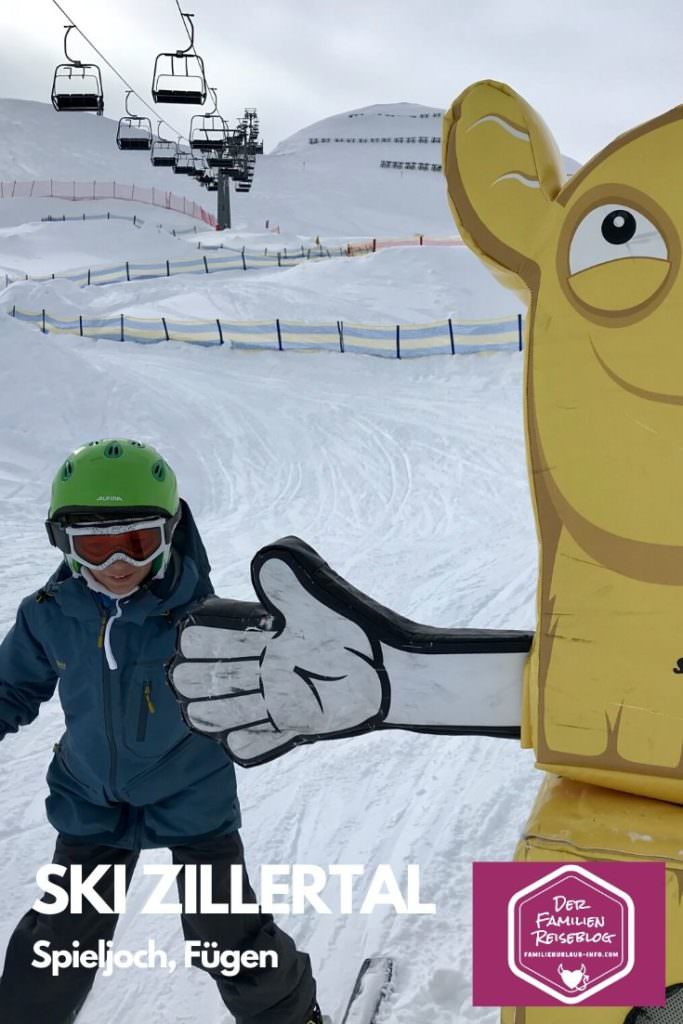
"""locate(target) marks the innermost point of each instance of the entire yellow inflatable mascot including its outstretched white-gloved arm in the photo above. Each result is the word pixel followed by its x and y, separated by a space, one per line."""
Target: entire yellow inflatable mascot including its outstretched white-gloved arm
pixel 599 261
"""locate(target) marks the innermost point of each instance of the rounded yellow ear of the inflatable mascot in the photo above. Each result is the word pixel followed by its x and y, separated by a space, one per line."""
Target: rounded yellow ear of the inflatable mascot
pixel 503 170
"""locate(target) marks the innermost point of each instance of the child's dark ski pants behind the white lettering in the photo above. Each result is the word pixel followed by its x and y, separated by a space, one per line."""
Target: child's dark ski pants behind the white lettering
pixel 255 996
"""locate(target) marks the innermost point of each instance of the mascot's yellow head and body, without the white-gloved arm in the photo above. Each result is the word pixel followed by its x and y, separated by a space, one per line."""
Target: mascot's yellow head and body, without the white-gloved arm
pixel 599 261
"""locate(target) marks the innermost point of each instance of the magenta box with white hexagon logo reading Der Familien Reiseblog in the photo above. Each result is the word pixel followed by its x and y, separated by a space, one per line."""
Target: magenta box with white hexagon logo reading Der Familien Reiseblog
pixel 590 934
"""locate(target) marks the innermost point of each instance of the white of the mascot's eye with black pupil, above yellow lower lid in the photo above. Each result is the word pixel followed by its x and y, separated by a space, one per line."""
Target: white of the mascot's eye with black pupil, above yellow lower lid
pixel 611 233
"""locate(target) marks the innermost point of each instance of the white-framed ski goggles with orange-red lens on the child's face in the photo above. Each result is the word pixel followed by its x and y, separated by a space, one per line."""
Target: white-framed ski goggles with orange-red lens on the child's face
pixel 100 545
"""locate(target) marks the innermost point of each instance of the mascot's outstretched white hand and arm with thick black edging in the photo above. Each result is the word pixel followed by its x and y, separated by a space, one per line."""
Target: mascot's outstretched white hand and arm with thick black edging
pixel 319 660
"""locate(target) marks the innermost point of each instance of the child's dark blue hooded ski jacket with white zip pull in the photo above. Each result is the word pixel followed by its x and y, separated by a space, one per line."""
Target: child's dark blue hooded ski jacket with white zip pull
pixel 127 771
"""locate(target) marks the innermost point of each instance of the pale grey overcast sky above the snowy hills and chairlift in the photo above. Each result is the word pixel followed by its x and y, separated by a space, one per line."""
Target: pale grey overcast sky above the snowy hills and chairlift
pixel 592 68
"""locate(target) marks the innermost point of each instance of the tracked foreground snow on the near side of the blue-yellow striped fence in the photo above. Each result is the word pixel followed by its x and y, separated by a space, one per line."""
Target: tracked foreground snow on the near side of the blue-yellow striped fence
pixel 410 480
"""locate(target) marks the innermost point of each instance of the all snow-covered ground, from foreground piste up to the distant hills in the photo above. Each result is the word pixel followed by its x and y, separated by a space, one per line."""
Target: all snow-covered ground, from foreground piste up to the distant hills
pixel 409 478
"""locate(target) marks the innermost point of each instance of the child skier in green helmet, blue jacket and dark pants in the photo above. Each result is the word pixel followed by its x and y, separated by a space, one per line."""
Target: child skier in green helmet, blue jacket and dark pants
pixel 127 774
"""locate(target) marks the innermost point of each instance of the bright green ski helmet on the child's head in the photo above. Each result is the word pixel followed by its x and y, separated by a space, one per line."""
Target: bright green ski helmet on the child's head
pixel 110 481
